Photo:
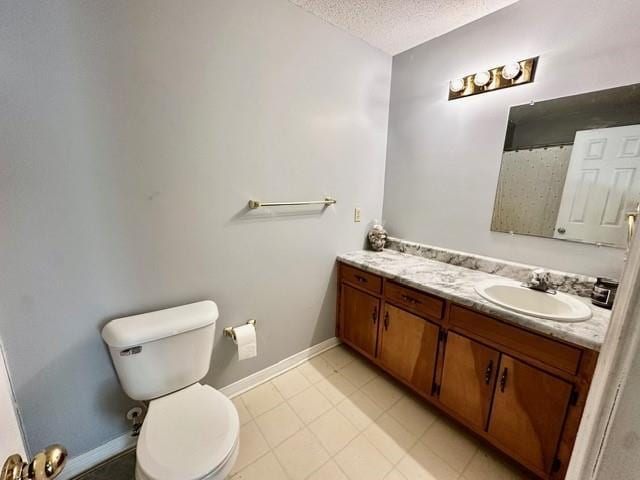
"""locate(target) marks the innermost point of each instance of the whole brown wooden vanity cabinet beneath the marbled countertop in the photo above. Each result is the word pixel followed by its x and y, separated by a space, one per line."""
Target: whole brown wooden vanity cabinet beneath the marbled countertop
pixel 522 391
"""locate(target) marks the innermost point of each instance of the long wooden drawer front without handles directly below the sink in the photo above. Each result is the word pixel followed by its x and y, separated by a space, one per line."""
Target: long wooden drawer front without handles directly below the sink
pixel 548 351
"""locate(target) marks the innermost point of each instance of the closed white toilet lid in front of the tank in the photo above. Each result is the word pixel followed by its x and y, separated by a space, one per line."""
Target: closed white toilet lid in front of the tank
pixel 188 434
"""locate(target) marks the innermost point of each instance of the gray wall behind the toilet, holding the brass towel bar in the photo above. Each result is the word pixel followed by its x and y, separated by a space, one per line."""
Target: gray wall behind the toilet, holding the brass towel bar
pixel 132 135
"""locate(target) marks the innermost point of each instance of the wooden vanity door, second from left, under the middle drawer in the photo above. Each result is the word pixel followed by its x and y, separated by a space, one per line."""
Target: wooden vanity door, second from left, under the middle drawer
pixel 408 347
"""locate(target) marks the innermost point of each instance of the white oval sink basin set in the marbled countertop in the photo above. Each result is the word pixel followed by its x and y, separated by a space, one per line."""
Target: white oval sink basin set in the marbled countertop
pixel 510 294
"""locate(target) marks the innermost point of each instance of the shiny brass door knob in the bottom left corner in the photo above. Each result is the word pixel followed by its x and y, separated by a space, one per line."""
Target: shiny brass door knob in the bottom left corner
pixel 46 465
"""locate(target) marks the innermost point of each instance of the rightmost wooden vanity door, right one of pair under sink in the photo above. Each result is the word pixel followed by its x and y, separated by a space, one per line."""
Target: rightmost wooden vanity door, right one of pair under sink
pixel 529 410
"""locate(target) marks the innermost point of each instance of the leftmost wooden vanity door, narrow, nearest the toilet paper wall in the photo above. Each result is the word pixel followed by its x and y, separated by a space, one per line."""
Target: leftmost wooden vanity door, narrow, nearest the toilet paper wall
pixel 359 314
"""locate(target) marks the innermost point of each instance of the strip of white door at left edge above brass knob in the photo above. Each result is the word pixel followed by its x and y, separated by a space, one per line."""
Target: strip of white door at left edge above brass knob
pixel 10 435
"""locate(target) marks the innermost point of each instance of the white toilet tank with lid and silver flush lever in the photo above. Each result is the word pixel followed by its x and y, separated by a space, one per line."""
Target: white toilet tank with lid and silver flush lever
pixel 160 352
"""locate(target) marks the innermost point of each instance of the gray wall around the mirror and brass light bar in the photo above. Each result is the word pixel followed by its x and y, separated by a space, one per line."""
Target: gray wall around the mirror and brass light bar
pixel 444 157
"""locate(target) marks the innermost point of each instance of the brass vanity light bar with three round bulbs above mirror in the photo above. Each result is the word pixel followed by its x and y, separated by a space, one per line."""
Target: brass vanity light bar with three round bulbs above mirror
pixel 509 75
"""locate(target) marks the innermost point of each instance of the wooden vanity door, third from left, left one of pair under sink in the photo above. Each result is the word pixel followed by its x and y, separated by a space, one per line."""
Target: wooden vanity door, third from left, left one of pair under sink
pixel 468 378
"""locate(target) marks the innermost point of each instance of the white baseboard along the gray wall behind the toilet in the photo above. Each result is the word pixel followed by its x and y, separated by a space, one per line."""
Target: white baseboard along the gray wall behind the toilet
pixel 80 464
